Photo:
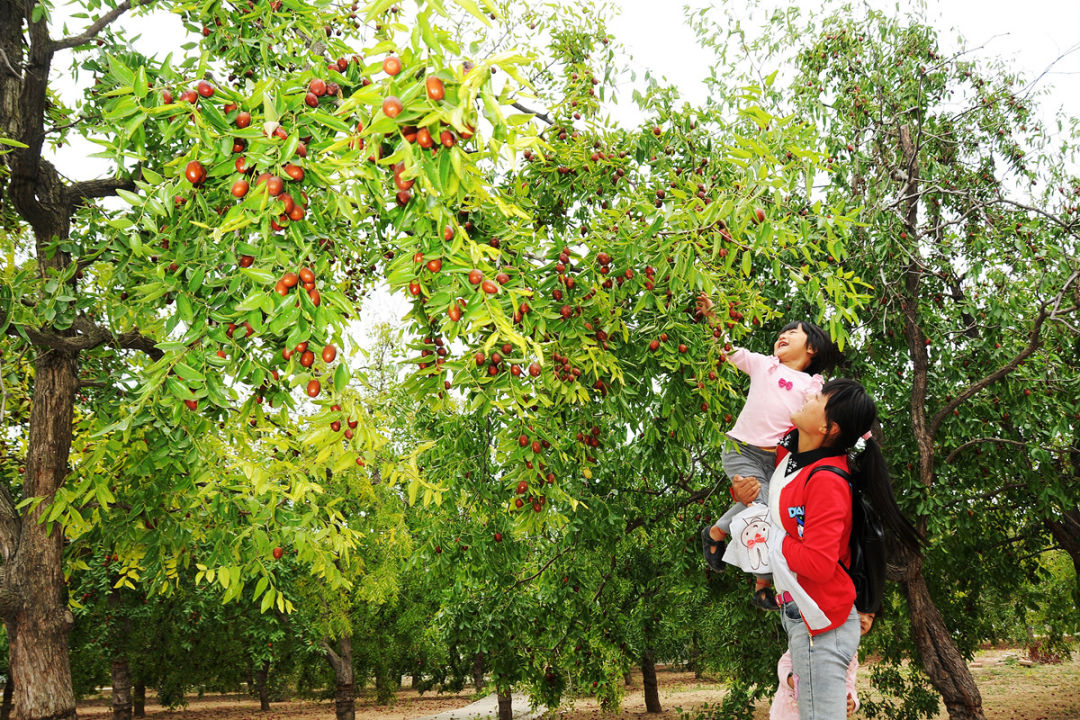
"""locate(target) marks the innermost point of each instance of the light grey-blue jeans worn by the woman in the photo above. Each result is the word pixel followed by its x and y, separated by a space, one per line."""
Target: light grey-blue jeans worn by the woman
pixel 820 668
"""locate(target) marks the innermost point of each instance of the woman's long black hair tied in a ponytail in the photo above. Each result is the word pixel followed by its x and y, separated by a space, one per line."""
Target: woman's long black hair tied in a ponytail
pixel 850 409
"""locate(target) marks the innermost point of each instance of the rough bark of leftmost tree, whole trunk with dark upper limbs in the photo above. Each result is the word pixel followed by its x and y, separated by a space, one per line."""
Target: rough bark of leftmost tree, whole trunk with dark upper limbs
pixel 33 600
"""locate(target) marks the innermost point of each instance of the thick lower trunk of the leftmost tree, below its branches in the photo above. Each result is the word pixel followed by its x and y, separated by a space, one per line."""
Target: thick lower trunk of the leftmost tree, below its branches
pixel 33 600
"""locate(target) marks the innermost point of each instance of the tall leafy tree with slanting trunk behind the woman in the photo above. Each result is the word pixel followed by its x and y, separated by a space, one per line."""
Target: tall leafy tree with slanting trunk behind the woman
pixel 967 233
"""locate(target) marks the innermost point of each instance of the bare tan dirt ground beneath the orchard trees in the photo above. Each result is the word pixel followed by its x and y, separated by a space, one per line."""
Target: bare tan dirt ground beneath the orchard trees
pixel 1011 691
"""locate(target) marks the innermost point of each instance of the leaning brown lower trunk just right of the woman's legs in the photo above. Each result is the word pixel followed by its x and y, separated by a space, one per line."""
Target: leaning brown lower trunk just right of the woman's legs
pixel 941 659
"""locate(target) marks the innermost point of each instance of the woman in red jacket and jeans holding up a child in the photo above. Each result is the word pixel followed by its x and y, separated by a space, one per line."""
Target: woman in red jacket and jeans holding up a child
pixel 812 505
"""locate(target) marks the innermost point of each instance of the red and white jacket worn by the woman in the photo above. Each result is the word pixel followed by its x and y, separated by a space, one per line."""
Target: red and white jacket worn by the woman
pixel 815 515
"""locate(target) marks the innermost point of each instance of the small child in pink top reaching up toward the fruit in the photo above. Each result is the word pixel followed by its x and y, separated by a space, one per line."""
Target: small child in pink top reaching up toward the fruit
pixel 779 385
